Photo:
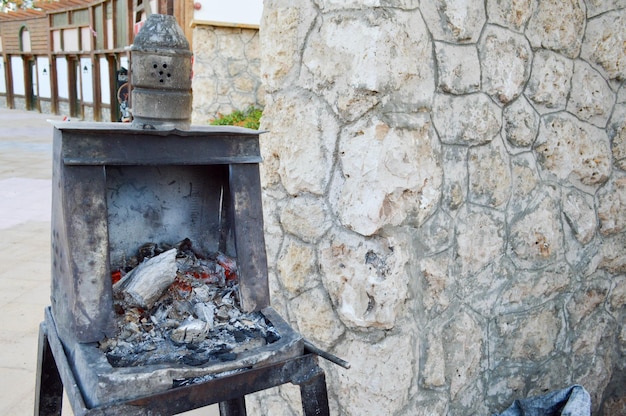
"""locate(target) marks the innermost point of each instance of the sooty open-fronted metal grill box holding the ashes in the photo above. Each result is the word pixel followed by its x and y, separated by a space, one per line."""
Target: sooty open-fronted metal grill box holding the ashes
pixel 116 187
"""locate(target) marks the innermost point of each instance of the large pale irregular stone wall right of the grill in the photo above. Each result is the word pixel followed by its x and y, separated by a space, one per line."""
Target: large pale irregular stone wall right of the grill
pixel 445 198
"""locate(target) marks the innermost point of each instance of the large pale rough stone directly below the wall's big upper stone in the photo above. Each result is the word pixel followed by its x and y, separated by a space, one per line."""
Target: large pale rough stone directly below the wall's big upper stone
pixel 389 175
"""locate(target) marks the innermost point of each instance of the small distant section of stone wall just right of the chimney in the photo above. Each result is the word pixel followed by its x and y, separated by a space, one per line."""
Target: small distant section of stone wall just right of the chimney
pixel 226 71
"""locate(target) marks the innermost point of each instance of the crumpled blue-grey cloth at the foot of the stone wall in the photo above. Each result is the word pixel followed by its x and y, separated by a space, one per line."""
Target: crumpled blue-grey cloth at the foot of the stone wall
pixel 572 401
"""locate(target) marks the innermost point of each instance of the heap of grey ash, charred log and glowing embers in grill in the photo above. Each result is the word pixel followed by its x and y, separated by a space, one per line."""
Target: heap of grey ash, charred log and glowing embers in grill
pixel 176 306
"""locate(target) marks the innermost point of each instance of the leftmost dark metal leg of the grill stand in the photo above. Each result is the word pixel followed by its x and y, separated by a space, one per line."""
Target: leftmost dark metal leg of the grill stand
pixel 49 388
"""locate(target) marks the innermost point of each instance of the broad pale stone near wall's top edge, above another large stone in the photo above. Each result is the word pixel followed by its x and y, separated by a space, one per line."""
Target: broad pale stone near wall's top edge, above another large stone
pixel 353 84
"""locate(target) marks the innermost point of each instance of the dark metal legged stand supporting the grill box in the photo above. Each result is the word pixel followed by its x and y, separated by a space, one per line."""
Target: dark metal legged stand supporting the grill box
pixel 54 374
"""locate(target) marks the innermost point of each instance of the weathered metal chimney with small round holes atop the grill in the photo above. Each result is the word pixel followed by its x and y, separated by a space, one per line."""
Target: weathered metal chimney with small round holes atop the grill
pixel 161 75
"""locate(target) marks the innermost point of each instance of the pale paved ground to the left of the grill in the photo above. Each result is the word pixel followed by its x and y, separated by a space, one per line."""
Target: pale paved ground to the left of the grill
pixel 25 184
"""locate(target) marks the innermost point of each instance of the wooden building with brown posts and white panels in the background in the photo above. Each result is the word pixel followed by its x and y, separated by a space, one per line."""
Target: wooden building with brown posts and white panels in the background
pixel 70 57
